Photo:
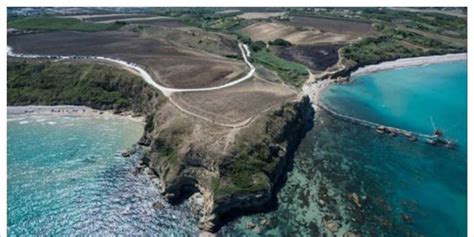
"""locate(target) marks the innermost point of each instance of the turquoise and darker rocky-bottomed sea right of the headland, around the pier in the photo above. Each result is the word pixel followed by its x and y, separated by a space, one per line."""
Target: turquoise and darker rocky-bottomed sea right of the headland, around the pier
pixel 404 188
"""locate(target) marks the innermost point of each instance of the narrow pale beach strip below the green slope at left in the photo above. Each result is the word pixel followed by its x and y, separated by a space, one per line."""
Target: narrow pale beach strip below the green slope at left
pixel 69 110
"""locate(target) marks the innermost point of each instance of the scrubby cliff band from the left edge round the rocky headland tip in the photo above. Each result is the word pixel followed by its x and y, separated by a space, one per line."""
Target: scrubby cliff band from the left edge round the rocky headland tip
pixel 235 169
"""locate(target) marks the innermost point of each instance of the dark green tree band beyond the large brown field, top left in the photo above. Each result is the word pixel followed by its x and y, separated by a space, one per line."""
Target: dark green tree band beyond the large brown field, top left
pixel 53 23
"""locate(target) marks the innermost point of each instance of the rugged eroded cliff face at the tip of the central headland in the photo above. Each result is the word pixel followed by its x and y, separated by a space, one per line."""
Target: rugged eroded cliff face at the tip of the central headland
pixel 234 169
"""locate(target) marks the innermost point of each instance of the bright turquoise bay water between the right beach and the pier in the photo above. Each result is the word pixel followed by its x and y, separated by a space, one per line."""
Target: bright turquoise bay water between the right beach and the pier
pixel 416 98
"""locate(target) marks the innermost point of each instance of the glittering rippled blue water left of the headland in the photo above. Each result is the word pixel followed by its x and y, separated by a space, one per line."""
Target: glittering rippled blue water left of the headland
pixel 66 177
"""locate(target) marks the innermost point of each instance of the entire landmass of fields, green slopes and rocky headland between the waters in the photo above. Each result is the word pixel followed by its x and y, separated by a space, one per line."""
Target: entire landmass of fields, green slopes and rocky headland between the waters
pixel 234 107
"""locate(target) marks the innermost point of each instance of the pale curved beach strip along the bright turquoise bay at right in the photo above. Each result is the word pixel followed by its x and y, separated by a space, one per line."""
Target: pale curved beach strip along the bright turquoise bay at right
pixel 409 62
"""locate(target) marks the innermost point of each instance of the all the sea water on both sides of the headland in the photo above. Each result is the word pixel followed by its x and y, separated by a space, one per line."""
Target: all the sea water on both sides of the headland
pixel 65 176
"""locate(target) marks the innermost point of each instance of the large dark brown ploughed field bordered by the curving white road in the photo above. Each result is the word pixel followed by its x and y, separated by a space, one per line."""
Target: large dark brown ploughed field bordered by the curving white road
pixel 171 66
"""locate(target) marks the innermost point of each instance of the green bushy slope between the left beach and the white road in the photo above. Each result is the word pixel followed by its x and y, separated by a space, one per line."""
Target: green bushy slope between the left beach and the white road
pixel 96 85
